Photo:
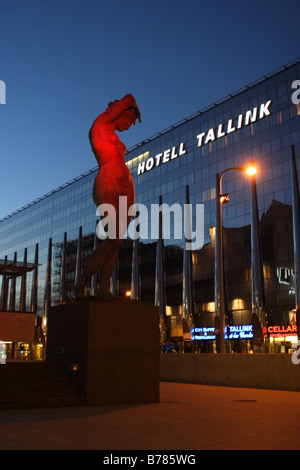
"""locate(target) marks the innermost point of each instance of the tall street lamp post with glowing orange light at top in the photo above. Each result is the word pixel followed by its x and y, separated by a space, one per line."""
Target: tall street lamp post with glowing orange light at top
pixel 219 255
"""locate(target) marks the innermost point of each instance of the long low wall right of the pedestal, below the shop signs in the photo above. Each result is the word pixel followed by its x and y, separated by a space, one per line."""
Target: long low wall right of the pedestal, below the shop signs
pixel 270 371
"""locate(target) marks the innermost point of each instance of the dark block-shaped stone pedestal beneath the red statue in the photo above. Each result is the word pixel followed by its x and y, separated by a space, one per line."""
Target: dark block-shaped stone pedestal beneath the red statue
pixel 109 346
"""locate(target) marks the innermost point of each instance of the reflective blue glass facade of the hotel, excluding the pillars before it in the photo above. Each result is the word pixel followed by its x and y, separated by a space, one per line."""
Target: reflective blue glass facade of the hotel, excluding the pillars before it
pixel 259 123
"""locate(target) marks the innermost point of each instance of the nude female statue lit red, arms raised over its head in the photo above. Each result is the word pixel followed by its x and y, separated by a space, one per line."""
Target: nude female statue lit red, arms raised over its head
pixel 112 181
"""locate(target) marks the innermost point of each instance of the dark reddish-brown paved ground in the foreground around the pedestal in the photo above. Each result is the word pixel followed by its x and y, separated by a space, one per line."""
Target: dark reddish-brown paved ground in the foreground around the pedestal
pixel 188 417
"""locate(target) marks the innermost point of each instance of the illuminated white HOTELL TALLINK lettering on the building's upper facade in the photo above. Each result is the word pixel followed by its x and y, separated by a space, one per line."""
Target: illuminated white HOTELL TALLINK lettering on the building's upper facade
pixel 204 138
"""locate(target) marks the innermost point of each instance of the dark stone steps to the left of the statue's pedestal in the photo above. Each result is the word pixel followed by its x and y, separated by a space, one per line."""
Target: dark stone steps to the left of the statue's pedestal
pixel 35 385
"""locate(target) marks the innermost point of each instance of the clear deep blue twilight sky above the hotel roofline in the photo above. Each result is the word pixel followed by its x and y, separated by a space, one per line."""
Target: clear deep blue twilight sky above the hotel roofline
pixel 62 61
